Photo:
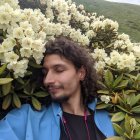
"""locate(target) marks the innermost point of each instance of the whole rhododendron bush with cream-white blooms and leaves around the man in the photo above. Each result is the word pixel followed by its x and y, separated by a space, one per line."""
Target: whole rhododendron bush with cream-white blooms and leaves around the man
pixel 23 34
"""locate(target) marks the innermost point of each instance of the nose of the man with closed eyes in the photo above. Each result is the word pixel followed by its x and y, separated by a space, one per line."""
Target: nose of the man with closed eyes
pixel 48 79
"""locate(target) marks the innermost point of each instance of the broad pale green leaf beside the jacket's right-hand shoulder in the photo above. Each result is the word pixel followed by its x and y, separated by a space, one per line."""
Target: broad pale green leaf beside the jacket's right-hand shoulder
pixel 119 116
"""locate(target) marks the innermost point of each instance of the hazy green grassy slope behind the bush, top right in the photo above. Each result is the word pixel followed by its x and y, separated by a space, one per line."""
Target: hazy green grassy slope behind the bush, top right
pixel 128 16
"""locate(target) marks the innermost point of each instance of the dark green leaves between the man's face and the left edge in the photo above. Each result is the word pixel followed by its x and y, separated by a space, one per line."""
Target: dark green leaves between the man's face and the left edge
pixel 15 92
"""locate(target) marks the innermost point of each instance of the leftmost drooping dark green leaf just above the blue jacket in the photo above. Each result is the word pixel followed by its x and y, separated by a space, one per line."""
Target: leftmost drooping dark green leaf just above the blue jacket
pixel 6 102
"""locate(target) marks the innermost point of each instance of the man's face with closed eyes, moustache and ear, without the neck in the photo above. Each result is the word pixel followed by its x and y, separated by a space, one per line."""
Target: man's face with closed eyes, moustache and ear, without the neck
pixel 61 78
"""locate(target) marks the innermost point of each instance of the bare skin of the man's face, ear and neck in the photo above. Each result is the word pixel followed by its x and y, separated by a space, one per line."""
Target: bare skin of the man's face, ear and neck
pixel 62 81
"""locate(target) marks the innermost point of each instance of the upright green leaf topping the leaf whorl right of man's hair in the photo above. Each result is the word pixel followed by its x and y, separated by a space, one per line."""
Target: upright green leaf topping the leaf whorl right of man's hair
pixel 108 78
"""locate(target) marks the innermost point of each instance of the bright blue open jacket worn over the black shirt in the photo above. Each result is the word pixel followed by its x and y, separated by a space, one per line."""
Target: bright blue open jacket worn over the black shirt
pixel 28 124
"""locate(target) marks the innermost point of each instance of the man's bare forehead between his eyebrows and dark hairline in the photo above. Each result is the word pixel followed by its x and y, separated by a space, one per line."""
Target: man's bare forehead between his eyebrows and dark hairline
pixel 54 59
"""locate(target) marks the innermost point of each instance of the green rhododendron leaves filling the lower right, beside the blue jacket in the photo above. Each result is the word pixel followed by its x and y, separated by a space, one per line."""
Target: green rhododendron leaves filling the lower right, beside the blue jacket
pixel 123 90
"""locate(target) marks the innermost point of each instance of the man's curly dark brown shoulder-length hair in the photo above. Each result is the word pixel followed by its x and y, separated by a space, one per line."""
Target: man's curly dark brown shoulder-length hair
pixel 80 57
